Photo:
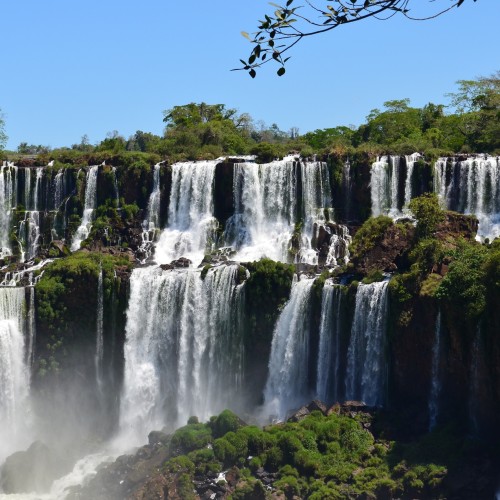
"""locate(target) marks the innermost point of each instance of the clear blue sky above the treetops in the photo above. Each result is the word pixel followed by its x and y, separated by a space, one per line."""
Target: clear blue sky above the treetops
pixel 75 67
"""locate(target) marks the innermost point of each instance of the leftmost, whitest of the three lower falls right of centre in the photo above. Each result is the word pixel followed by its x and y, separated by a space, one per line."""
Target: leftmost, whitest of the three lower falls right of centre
pixel 287 383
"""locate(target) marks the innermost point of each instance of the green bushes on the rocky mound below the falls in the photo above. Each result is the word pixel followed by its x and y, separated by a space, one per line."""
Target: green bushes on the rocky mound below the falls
pixel 318 457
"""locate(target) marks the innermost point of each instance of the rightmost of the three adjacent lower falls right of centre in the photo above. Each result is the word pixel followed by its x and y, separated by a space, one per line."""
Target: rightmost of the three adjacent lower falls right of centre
pixel 366 361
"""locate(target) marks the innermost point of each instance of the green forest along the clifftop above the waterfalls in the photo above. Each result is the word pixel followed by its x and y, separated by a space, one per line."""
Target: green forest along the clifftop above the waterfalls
pixel 470 123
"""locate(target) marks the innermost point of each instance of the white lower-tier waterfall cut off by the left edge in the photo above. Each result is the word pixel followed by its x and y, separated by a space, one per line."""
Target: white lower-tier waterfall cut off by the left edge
pixel 14 373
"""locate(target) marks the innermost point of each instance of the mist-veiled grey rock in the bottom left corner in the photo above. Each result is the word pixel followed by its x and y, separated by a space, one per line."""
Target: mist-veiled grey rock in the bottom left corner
pixel 32 470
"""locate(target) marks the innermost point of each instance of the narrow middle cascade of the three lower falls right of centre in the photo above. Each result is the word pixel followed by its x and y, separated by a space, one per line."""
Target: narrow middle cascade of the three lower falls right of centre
pixel 327 381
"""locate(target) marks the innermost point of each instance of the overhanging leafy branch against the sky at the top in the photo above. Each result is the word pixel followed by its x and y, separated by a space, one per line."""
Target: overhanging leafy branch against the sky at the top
pixel 290 24
